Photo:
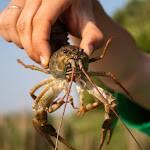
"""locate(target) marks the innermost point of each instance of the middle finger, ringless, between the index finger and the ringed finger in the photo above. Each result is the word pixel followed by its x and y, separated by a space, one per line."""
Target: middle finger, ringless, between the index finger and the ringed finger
pixel 24 27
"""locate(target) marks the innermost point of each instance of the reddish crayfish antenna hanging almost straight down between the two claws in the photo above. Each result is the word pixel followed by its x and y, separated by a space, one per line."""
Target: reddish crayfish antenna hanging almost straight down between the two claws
pixel 72 76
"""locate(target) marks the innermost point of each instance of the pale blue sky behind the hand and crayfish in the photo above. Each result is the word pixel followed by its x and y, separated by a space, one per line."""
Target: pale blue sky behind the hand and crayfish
pixel 17 81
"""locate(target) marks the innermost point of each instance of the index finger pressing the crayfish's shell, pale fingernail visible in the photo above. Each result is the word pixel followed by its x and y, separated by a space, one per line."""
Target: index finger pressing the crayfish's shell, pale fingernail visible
pixel 43 20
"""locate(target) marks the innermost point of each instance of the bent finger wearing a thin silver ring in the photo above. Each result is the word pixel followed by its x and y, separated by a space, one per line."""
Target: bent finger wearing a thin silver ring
pixel 10 19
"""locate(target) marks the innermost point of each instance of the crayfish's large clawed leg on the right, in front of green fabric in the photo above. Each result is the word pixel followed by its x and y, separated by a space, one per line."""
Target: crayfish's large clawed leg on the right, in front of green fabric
pixel 110 117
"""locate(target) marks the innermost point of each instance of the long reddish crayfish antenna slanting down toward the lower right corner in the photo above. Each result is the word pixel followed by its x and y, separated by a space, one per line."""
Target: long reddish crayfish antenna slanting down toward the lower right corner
pixel 110 107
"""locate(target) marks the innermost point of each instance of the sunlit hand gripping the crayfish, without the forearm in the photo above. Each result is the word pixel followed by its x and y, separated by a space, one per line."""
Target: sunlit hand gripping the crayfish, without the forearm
pixel 29 27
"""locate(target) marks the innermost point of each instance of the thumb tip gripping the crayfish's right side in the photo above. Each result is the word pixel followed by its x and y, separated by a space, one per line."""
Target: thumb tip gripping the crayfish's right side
pixel 92 38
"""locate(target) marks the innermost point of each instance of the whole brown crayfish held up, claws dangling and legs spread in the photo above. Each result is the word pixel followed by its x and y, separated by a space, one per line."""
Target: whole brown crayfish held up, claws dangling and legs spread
pixel 70 64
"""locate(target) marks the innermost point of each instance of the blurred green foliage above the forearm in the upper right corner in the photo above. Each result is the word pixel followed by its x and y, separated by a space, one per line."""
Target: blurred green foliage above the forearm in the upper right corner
pixel 135 18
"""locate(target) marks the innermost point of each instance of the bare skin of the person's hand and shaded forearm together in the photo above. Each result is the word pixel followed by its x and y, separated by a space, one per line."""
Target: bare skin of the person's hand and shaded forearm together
pixel 89 28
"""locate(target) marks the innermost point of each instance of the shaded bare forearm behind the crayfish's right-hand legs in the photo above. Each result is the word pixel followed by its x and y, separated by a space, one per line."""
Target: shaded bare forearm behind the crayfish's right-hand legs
pixel 122 59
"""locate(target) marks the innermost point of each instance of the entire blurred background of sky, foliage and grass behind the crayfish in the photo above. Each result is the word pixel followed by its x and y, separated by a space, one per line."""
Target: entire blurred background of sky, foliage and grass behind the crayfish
pixel 16 130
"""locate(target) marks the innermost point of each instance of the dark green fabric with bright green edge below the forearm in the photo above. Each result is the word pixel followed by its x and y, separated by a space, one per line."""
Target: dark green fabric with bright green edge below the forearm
pixel 133 114
